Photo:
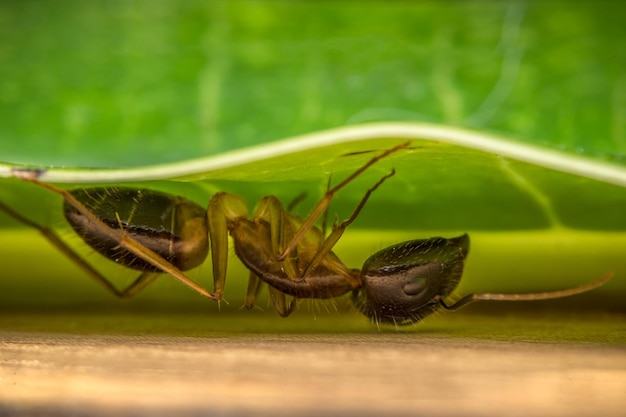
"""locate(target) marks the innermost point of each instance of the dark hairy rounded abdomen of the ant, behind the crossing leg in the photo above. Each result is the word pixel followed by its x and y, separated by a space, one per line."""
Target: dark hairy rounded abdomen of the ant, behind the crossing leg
pixel 171 226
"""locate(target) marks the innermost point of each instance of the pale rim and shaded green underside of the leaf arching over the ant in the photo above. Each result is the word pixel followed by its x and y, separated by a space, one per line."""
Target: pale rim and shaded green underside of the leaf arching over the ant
pixel 451 180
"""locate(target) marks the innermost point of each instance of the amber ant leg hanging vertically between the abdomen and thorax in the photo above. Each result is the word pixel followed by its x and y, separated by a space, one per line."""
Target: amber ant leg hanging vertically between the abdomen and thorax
pixel 223 207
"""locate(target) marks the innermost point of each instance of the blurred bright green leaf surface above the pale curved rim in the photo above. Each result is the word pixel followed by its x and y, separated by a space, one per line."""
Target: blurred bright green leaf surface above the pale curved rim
pixel 118 83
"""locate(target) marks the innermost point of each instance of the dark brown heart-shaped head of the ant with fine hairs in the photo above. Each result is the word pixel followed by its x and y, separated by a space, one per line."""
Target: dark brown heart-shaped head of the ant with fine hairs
pixel 405 282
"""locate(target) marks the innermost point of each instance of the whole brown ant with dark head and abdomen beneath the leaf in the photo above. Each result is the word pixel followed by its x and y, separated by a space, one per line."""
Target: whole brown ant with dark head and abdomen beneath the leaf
pixel 156 233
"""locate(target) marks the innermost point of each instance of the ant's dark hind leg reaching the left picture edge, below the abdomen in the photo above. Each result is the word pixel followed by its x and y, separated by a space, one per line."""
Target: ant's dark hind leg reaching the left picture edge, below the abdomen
pixel 56 241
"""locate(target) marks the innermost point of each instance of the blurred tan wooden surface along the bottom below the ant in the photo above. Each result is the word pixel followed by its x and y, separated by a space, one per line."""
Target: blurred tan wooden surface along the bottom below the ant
pixel 369 374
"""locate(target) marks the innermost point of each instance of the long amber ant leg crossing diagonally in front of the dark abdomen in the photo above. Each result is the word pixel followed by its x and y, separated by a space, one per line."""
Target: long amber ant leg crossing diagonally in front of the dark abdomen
pixel 124 241
